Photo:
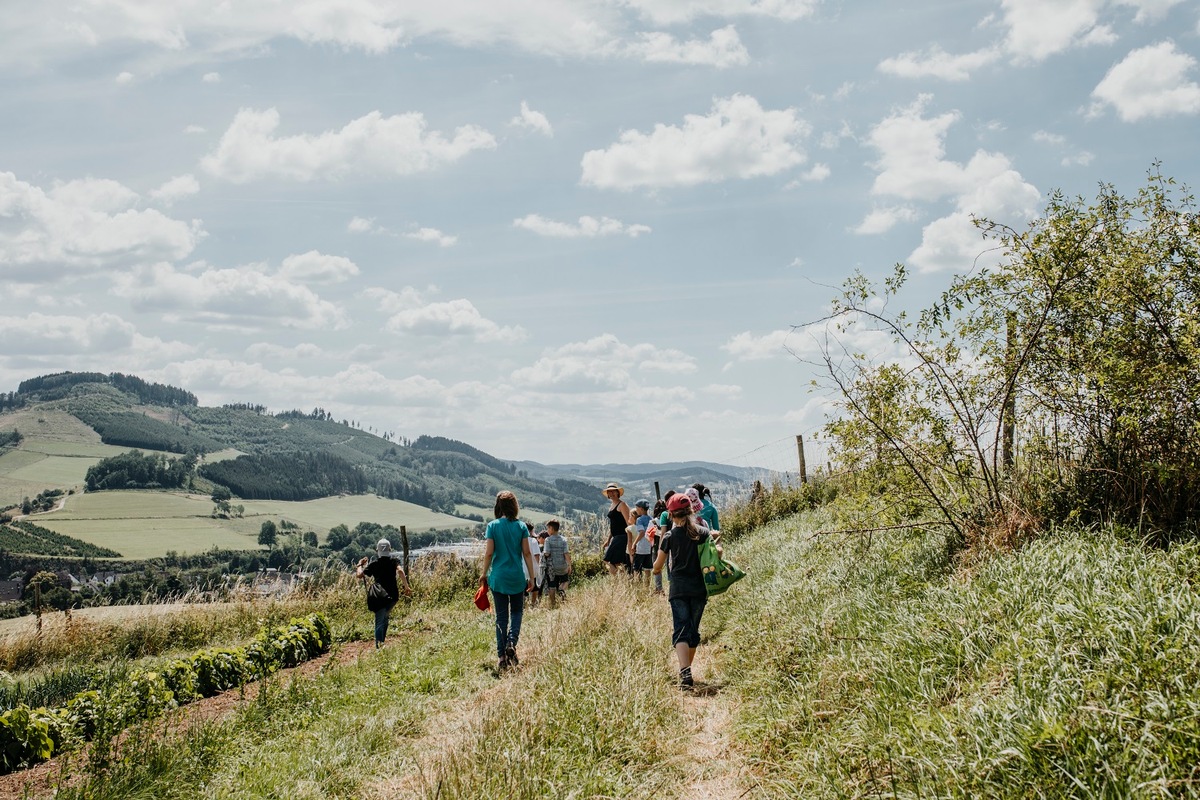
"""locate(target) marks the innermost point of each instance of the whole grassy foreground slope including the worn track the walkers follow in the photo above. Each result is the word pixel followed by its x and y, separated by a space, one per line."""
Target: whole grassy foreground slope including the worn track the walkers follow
pixel 847 667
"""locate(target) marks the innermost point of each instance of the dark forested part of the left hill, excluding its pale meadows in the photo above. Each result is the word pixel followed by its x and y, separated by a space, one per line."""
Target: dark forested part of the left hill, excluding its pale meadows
pixel 286 456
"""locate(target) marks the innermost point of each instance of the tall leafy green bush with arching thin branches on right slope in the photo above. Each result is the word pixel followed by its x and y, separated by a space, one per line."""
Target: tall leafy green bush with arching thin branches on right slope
pixel 1064 384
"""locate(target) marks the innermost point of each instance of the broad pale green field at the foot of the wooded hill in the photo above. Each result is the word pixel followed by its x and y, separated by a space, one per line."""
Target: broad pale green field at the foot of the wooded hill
pixel 148 525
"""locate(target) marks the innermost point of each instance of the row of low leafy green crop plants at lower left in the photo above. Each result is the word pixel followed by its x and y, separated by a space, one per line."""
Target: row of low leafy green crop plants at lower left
pixel 29 736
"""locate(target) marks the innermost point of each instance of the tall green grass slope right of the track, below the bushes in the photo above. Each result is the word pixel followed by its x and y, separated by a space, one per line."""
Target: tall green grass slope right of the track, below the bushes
pixel 1067 670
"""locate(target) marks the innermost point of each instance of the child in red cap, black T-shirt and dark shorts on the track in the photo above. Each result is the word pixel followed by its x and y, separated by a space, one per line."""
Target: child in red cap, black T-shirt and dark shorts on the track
pixel 688 596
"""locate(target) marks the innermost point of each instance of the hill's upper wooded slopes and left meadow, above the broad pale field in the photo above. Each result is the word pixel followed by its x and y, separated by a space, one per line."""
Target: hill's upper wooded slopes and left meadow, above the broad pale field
pixel 68 423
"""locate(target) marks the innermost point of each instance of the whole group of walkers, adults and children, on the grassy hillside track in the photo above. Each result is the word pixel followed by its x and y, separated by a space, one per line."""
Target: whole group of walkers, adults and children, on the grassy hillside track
pixel 643 543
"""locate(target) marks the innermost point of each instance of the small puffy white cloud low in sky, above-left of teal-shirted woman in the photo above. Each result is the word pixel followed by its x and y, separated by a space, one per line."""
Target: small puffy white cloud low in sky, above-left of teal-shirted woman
pixel 411 312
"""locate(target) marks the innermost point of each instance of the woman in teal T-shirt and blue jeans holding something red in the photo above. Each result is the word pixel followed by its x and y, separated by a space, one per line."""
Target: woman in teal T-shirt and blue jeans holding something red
pixel 507 567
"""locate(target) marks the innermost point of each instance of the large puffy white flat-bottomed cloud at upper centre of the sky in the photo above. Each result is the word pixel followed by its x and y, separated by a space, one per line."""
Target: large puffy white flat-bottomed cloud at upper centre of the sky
pixel 737 140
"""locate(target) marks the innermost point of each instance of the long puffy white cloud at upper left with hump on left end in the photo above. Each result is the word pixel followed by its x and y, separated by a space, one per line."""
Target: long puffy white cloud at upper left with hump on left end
pixel 371 146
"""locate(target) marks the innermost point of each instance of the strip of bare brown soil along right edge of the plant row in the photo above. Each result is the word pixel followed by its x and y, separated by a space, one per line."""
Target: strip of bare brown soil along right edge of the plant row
pixel 43 780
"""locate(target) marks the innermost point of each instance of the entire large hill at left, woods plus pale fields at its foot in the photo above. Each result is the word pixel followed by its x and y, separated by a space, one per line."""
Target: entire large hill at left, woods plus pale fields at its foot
pixel 85 437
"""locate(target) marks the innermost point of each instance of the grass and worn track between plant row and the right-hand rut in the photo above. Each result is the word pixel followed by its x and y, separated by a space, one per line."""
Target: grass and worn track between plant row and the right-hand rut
pixel 591 711
